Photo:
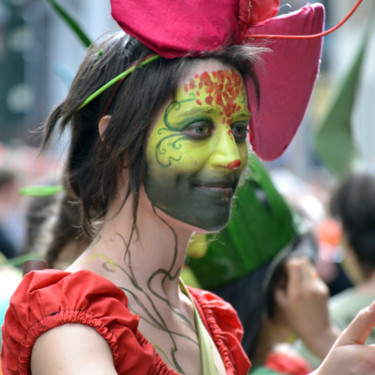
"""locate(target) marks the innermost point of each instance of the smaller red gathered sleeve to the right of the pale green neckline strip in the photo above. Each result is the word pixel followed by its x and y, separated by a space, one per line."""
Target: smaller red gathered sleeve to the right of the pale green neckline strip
pixel 225 328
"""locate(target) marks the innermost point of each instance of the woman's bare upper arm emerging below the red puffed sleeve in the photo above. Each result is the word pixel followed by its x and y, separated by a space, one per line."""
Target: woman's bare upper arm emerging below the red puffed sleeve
pixel 71 349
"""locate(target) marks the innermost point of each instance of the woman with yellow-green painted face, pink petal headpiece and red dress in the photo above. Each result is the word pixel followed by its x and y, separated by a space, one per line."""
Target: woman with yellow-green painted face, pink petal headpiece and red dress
pixel 158 122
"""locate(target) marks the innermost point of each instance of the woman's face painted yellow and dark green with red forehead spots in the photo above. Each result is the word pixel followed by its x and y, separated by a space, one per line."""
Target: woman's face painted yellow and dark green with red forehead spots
pixel 197 149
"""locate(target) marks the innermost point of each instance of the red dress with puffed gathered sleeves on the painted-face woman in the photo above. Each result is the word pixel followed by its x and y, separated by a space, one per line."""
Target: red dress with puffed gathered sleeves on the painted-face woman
pixel 49 298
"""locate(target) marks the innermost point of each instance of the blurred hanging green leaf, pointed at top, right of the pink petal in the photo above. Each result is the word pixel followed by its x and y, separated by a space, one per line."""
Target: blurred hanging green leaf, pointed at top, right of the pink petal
pixel 334 141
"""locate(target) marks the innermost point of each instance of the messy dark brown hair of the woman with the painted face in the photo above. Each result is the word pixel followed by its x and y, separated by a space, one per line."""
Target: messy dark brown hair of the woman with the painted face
pixel 94 164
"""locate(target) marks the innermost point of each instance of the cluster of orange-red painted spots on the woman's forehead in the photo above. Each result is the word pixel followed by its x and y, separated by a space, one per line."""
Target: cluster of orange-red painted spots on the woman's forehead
pixel 222 88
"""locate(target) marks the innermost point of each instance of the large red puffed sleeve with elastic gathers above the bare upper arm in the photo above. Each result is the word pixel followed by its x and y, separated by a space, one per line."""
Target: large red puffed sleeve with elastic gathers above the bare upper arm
pixel 50 298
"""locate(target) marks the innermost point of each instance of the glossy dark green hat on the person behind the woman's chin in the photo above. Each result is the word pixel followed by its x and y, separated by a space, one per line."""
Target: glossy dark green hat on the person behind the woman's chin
pixel 261 225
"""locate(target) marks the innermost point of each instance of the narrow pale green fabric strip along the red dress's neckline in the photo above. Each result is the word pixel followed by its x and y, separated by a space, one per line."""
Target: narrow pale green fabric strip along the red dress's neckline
pixel 204 339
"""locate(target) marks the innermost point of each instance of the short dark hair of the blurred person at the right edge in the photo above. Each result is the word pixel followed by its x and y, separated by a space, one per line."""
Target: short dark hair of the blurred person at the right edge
pixel 353 203
